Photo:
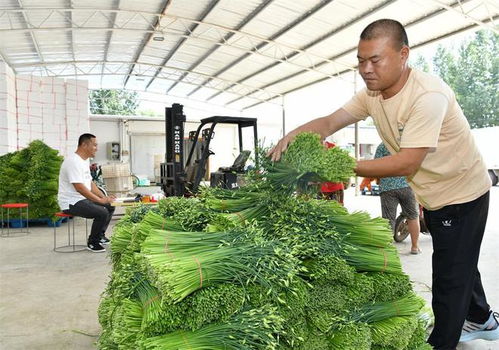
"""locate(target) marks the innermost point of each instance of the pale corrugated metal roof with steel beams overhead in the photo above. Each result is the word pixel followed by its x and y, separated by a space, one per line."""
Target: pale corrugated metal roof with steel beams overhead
pixel 235 52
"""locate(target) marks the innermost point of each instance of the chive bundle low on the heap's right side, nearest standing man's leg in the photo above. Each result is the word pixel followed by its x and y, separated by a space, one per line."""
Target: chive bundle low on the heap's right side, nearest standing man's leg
pixel 406 306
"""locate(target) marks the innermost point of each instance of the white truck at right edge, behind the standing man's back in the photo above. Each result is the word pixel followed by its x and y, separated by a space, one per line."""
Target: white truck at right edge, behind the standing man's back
pixel 487 140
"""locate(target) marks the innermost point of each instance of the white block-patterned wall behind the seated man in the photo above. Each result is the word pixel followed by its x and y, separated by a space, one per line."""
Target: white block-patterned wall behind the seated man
pixel 45 108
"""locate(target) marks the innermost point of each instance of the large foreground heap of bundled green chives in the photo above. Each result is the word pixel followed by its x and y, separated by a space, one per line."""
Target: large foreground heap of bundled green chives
pixel 262 267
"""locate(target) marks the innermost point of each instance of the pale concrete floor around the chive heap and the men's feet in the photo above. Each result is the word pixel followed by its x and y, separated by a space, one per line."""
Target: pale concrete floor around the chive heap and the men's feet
pixel 49 300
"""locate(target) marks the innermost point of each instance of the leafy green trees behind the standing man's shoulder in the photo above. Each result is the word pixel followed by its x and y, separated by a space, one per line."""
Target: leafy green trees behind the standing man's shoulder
pixel 473 74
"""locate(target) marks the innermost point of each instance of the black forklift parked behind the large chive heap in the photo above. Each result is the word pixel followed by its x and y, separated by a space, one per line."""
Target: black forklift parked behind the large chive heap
pixel 179 178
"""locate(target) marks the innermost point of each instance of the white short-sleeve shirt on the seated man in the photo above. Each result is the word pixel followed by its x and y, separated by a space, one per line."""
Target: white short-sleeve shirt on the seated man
pixel 74 169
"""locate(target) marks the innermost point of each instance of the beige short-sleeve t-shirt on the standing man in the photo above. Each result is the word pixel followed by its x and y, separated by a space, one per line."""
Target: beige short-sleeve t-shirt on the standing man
pixel 425 113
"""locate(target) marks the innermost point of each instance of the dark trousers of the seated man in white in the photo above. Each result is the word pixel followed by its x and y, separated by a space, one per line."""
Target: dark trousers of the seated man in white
pixel 101 214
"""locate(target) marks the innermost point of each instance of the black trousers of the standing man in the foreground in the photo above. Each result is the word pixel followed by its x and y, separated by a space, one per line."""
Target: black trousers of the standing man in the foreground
pixel 457 232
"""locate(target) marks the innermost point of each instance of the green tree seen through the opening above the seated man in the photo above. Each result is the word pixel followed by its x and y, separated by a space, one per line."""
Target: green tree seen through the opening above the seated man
pixel 114 102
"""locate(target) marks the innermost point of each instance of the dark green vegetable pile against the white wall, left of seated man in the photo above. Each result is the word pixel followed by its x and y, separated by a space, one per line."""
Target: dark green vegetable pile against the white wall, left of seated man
pixel 31 176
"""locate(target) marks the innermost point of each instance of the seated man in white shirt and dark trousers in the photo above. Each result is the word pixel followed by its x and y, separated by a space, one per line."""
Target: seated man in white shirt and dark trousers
pixel 79 196
